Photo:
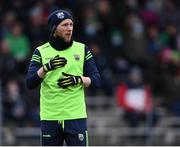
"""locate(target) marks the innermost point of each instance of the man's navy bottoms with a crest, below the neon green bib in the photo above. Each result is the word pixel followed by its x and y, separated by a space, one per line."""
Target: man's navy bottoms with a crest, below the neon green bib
pixel 67 132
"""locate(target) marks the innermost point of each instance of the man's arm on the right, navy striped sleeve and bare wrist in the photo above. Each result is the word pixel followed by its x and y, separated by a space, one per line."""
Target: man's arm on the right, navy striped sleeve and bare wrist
pixel 91 75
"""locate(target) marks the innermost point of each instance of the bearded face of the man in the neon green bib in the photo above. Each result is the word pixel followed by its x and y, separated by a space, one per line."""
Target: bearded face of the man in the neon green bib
pixel 64 30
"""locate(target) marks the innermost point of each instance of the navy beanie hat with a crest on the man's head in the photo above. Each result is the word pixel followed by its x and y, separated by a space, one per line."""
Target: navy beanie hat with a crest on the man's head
pixel 56 17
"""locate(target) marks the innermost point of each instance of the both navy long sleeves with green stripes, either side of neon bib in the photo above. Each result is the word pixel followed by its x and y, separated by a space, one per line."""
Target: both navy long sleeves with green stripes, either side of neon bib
pixel 90 70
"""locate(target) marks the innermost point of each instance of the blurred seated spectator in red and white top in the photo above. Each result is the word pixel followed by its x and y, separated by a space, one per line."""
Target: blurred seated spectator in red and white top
pixel 135 98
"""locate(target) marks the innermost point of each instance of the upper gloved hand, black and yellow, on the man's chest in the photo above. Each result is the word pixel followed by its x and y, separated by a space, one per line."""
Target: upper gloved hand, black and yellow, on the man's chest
pixel 55 63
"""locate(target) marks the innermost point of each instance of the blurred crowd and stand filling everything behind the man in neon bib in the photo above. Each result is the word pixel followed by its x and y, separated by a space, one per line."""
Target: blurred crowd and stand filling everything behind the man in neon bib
pixel 136 45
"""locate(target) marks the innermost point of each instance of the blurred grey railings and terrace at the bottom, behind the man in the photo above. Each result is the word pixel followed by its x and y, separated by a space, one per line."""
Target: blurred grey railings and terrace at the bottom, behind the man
pixel 106 127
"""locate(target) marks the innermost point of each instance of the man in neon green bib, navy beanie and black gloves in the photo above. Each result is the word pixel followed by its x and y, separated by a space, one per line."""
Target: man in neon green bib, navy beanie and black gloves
pixel 63 67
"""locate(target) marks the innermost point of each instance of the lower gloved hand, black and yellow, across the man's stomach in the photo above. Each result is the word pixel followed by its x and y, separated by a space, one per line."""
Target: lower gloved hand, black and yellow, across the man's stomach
pixel 69 80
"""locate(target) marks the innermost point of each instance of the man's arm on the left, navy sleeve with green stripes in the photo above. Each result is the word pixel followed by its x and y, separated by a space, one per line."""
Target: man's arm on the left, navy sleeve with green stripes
pixel 35 72
